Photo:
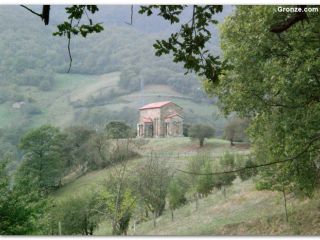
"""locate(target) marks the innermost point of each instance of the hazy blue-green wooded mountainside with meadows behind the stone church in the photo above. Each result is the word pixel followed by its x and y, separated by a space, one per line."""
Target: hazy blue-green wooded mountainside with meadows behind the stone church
pixel 113 73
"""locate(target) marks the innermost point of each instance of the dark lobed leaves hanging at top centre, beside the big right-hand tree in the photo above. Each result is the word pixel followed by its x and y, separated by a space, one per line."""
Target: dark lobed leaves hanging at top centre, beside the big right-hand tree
pixel 188 45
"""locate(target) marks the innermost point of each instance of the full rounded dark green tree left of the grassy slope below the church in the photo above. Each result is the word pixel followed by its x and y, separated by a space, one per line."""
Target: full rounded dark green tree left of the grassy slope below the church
pixel 43 159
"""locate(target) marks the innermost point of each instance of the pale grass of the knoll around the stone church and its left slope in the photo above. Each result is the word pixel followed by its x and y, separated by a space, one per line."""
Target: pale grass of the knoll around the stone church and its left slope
pixel 165 148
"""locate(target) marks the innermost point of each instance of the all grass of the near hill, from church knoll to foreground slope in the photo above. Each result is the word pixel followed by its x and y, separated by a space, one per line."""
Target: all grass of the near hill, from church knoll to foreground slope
pixel 244 211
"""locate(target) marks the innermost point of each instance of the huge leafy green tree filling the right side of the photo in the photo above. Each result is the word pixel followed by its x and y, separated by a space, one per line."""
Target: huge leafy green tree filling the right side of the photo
pixel 275 80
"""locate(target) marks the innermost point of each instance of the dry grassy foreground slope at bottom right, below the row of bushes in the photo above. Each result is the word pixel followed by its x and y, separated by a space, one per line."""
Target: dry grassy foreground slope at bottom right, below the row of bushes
pixel 244 212
